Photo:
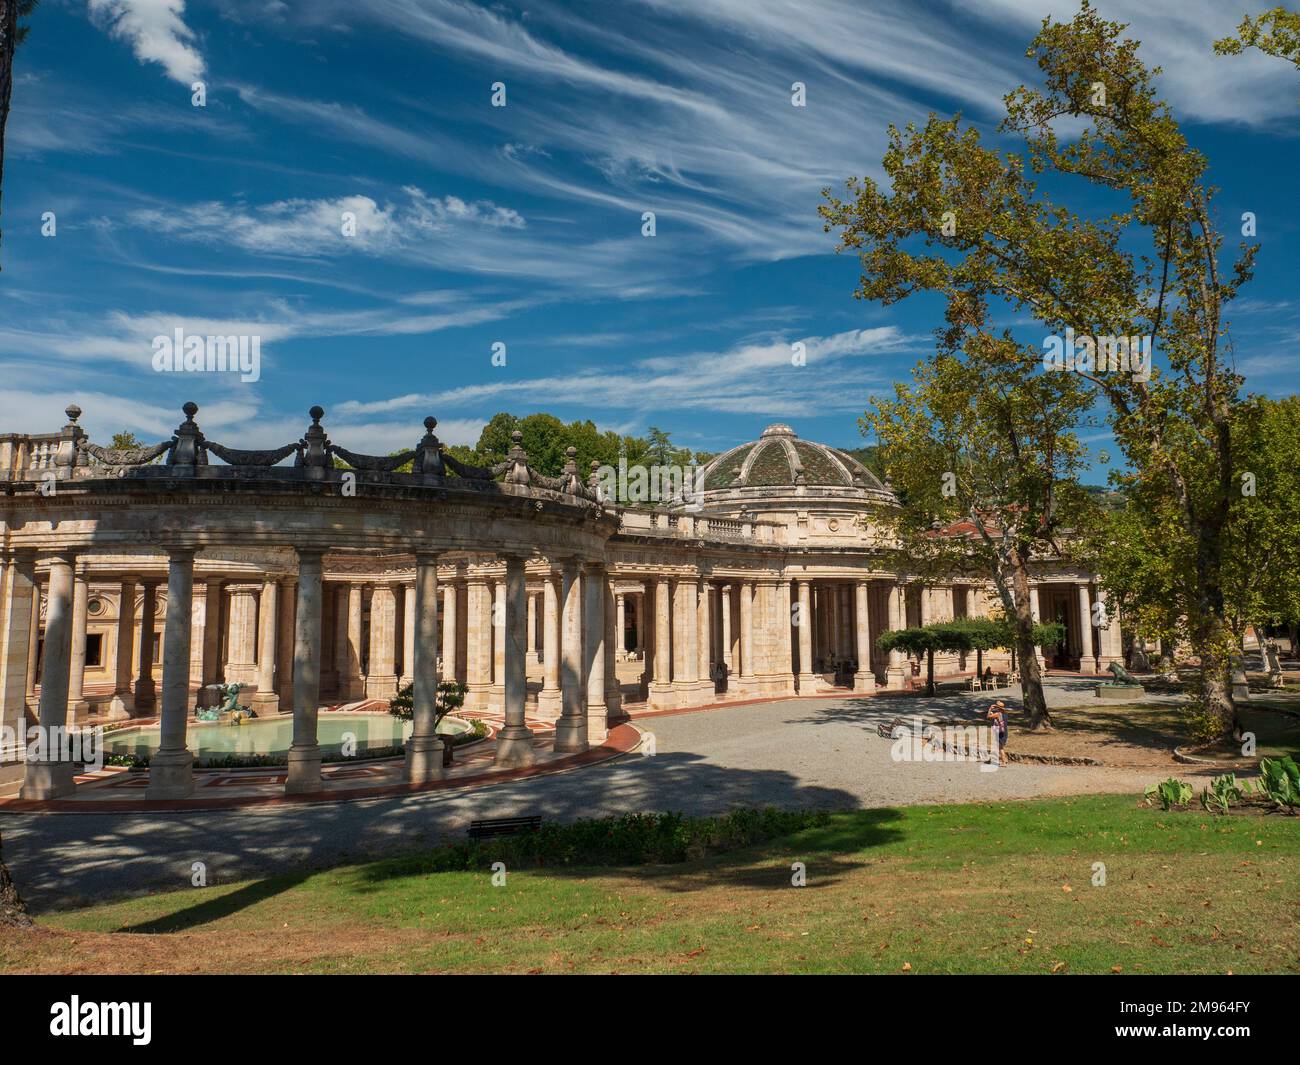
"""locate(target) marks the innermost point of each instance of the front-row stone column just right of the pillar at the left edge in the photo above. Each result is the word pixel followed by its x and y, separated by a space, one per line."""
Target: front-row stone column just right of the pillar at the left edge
pixel 50 776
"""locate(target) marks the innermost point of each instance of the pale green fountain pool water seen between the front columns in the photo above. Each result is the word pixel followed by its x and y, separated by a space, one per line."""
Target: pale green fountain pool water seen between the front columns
pixel 275 735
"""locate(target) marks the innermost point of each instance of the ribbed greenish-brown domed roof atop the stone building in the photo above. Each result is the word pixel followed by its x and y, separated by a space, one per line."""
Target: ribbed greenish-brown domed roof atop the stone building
pixel 781 460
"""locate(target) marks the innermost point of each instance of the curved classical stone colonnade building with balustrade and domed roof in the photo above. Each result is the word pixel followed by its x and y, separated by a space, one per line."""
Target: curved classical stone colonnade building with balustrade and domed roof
pixel 319 577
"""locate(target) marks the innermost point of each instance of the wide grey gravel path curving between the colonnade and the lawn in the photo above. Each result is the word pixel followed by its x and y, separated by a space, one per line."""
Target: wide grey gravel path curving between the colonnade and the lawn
pixel 794 754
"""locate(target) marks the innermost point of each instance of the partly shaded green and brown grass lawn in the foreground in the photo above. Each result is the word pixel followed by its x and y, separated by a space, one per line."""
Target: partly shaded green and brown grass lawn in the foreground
pixel 974 889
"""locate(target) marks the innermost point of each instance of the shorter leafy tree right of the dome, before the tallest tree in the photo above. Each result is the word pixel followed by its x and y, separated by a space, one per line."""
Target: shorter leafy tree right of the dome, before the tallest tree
pixel 983 453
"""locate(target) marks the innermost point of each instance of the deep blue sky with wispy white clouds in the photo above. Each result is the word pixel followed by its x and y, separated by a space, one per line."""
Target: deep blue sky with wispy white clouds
pixel 523 224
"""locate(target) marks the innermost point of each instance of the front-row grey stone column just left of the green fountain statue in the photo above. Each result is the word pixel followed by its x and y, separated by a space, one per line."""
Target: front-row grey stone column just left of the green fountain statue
pixel 172 767
